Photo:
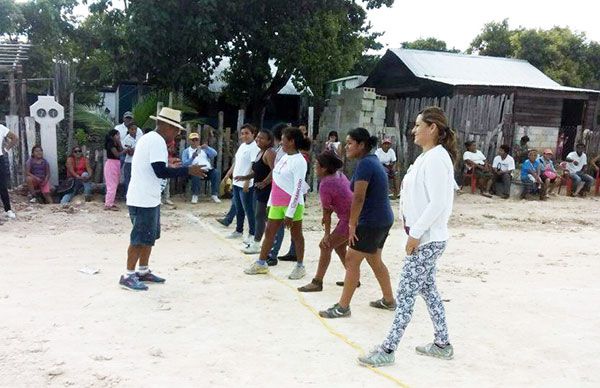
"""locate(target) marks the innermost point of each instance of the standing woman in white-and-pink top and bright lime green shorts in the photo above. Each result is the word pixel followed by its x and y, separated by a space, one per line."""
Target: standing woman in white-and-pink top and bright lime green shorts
pixel 286 202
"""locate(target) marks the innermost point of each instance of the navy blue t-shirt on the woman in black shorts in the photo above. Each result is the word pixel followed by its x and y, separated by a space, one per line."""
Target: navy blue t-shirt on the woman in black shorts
pixel 376 210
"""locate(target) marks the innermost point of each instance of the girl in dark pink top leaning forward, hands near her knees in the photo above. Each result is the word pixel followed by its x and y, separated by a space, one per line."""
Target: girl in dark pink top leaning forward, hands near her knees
pixel 336 197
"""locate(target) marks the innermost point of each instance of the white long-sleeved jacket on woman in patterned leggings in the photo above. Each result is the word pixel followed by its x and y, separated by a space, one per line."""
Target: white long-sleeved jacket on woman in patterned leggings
pixel 427 196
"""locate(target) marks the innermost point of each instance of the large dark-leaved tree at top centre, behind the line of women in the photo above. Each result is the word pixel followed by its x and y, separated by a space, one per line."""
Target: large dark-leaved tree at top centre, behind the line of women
pixel 311 40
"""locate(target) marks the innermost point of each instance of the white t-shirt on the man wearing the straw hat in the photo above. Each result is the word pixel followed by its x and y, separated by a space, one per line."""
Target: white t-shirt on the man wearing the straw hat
pixel 145 187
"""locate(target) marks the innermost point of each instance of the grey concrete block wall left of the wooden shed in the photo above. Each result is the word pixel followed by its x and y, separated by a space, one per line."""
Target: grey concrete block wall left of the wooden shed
pixel 360 107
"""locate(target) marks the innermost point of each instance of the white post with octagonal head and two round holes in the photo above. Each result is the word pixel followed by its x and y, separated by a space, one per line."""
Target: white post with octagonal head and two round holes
pixel 48 113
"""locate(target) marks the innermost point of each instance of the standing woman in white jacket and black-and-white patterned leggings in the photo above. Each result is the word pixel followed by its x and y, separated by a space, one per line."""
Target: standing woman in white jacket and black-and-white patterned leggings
pixel 426 203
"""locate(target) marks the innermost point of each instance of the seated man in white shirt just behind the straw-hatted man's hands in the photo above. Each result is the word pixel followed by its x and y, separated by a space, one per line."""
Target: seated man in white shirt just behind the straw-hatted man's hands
pixel 201 155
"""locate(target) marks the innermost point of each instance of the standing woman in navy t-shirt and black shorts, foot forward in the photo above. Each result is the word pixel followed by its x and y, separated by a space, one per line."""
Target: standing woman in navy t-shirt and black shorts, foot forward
pixel 371 218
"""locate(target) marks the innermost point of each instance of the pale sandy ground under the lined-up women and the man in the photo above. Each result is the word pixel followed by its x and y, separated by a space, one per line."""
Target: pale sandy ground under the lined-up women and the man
pixel 520 280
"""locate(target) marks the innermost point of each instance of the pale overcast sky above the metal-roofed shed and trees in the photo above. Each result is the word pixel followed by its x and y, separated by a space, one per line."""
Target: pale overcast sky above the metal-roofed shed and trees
pixel 457 22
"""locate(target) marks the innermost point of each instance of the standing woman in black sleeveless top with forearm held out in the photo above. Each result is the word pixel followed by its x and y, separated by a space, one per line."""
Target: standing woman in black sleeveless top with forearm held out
pixel 261 173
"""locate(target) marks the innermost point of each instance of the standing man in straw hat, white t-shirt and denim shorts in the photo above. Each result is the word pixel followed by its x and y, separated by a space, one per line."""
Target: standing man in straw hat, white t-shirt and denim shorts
pixel 149 170
